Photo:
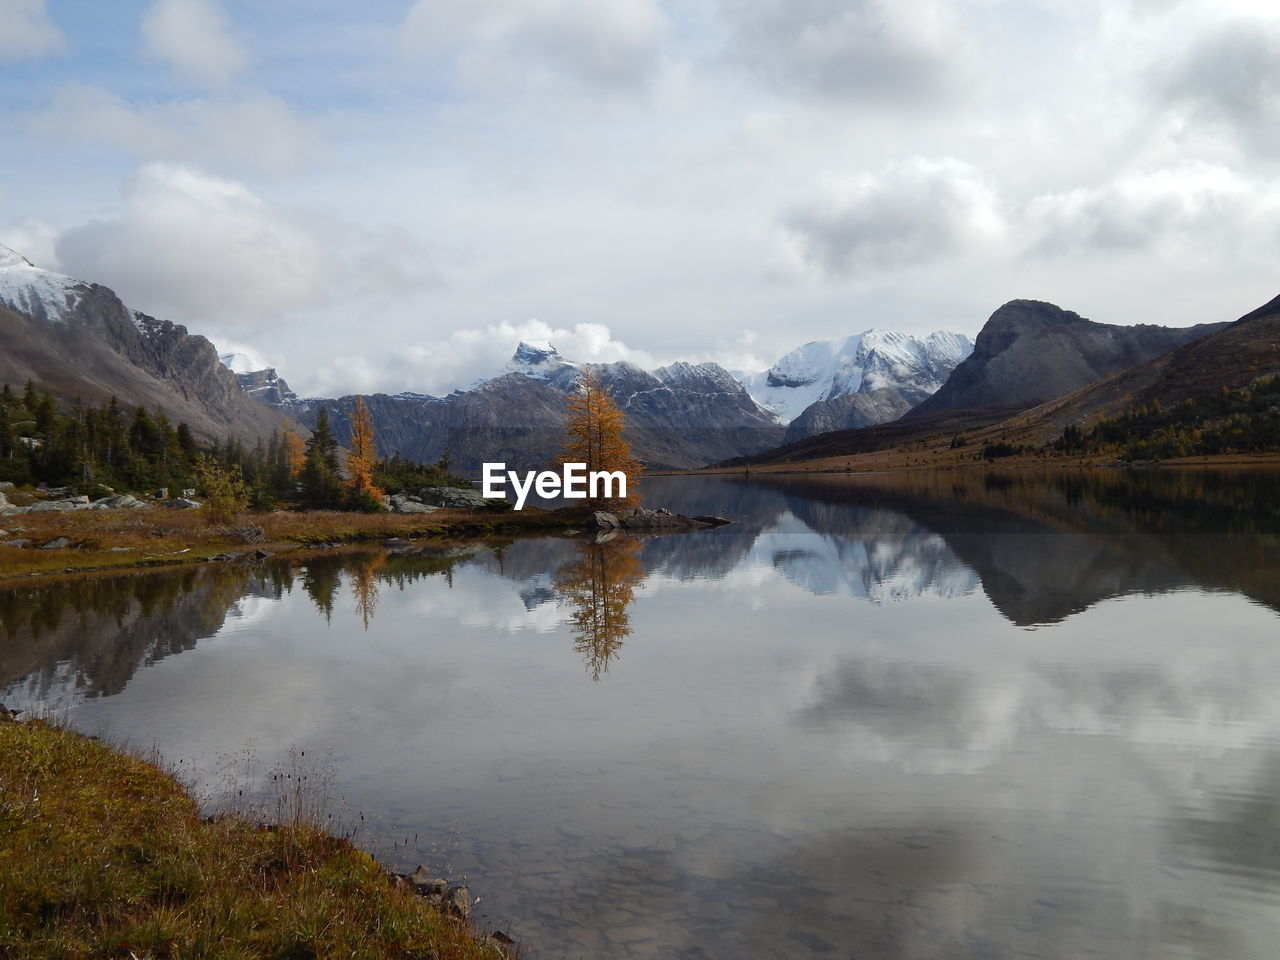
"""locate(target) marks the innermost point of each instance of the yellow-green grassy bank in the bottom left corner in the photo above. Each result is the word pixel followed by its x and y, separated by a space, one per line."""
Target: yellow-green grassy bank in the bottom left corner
pixel 106 856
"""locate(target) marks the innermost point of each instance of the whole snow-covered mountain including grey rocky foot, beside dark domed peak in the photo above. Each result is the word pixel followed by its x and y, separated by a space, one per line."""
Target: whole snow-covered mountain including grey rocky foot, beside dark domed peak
pixel 860 381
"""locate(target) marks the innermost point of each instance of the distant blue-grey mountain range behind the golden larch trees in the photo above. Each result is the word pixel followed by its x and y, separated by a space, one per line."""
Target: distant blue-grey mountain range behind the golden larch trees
pixel 683 415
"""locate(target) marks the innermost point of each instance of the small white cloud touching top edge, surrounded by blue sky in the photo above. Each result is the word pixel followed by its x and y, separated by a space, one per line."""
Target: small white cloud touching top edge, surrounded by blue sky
pixel 194 36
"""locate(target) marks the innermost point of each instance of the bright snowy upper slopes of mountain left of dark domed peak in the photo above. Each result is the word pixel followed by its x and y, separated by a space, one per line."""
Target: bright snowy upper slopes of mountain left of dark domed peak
pixel 868 362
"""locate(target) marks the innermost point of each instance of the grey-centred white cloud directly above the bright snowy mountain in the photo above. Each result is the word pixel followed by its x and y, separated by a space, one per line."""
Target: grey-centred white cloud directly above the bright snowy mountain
pixel 908 214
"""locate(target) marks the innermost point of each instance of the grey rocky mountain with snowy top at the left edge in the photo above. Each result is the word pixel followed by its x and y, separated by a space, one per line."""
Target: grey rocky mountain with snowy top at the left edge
pixel 77 340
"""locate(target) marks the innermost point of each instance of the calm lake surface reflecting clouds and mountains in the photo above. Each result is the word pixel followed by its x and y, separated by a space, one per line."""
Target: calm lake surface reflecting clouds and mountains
pixel 948 717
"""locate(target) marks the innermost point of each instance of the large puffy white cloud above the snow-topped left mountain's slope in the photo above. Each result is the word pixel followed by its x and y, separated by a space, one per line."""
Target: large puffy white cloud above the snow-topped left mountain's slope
pixel 191 246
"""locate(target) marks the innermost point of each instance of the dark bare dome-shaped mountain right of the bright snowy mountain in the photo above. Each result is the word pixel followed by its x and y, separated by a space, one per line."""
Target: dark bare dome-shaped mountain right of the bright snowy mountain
pixel 1030 353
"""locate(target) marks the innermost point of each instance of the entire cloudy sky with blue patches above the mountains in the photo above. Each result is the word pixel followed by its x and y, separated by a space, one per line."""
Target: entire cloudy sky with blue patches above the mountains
pixel 390 195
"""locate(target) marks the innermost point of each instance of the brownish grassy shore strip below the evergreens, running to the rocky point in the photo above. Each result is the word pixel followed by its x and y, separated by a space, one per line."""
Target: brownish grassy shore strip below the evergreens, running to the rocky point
pixel 99 541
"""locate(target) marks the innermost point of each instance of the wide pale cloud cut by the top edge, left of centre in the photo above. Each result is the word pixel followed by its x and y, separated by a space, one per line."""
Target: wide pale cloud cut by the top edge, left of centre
pixel 610 44
